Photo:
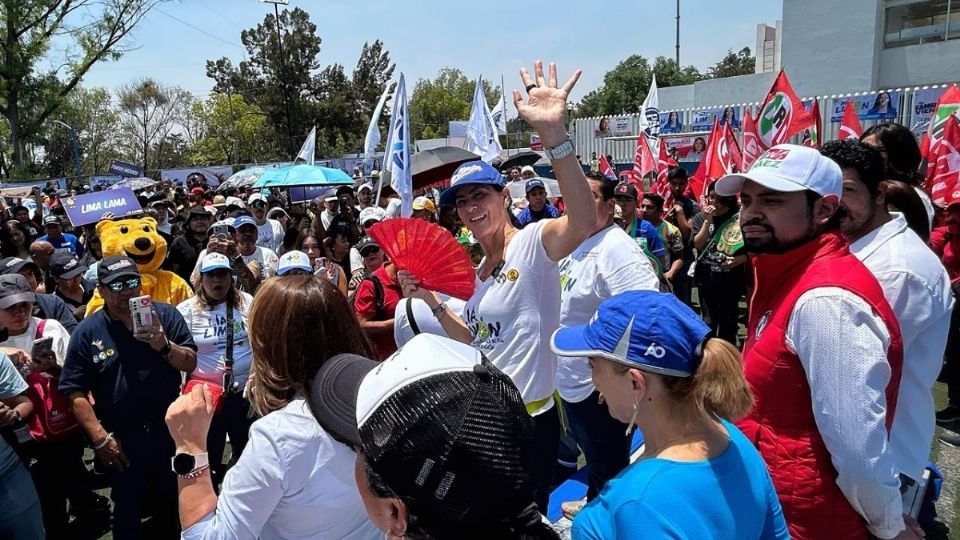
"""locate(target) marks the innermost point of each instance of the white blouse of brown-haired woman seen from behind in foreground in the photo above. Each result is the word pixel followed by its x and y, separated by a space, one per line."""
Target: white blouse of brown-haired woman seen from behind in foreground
pixel 292 481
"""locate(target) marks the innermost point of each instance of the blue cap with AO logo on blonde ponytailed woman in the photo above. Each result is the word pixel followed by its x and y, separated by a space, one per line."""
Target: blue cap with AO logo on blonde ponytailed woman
pixel 647 330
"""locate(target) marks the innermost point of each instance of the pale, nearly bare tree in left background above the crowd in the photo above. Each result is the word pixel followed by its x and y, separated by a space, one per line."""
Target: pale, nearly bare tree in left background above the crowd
pixel 149 112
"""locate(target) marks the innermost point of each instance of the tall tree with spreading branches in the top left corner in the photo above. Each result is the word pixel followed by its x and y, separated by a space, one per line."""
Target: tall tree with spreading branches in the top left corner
pixel 88 32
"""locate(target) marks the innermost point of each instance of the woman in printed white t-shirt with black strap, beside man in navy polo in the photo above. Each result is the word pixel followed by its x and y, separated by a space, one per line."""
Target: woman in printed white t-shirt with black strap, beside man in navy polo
pixel 223 353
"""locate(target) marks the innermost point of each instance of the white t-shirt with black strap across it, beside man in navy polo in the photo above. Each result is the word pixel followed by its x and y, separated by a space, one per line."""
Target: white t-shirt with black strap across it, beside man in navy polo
pixel 209 329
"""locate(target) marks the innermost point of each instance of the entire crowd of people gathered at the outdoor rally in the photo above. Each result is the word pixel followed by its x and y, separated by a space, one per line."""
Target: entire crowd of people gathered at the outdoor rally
pixel 357 403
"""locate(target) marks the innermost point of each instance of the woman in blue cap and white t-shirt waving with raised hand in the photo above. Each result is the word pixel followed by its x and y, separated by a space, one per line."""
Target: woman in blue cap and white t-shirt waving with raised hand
pixel 516 305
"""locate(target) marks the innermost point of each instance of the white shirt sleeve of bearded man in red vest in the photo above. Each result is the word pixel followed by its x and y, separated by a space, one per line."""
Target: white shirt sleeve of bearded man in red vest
pixel 842 346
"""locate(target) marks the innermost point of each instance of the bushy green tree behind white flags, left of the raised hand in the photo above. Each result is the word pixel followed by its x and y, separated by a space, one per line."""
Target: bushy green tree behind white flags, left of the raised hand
pixel 434 103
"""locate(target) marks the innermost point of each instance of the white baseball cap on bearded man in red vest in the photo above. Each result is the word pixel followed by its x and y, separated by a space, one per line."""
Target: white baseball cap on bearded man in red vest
pixel 787 168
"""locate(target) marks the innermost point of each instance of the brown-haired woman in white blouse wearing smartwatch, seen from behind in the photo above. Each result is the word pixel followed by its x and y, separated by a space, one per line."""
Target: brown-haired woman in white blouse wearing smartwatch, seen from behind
pixel 293 480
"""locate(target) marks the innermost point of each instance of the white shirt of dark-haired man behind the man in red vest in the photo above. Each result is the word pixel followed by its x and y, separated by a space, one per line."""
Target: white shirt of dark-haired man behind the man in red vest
pixel 918 289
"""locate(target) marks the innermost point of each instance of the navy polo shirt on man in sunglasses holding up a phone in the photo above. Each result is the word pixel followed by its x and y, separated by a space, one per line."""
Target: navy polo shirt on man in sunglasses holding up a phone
pixel 132 385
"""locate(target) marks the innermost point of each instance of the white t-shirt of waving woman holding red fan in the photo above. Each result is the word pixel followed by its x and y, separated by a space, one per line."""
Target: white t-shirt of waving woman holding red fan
pixel 513 314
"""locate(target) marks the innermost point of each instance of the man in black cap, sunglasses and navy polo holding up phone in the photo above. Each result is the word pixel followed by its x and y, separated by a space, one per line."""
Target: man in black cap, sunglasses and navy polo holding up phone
pixel 133 377
